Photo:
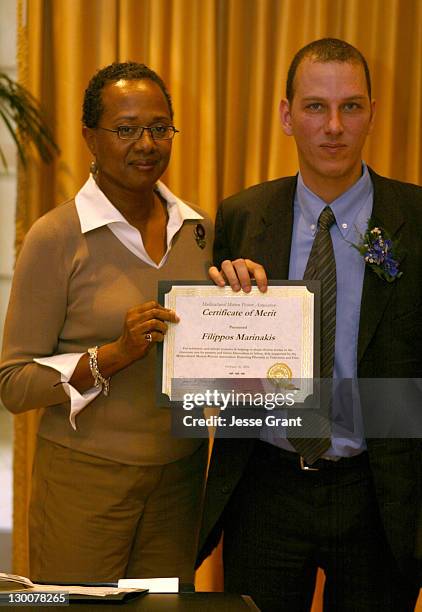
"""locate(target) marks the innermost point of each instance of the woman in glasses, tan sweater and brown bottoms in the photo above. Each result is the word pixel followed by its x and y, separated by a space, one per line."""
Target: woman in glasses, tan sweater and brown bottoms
pixel 114 494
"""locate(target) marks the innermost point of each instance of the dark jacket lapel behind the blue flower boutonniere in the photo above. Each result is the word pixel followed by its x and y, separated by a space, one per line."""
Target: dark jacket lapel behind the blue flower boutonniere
pixel 377 292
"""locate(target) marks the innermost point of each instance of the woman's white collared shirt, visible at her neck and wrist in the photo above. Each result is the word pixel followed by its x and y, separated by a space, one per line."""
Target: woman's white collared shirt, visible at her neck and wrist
pixel 95 210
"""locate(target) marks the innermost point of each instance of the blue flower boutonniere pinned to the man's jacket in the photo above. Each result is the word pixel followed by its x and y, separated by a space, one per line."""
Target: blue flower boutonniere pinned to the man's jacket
pixel 380 252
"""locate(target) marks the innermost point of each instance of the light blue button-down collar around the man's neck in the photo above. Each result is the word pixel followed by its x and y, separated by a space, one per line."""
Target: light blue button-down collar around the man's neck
pixel 346 207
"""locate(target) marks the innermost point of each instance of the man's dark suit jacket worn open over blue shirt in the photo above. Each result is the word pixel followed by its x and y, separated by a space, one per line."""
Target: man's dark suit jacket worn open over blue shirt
pixel 257 224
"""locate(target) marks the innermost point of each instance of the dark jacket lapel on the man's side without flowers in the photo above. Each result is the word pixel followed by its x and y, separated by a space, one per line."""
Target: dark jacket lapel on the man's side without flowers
pixel 273 237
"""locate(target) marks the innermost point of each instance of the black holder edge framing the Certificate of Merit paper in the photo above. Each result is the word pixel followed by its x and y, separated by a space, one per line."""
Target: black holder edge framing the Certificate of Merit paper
pixel 164 287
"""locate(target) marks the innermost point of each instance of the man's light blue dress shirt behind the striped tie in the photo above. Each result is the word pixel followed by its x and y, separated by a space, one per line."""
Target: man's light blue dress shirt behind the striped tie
pixel 352 211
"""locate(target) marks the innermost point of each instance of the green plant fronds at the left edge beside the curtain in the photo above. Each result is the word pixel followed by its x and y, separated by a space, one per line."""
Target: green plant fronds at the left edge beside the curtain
pixel 23 118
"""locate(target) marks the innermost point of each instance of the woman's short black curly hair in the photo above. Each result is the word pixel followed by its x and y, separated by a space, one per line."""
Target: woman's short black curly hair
pixel 93 107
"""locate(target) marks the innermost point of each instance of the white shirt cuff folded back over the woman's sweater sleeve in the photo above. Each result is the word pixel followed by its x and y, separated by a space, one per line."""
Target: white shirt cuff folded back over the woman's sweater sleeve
pixel 66 364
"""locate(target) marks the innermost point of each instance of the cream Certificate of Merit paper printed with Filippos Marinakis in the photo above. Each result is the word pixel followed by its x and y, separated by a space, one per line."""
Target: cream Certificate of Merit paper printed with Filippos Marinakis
pixel 221 334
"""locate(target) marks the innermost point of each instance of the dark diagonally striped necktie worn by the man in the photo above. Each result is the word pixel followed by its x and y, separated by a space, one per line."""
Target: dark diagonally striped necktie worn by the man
pixel 321 266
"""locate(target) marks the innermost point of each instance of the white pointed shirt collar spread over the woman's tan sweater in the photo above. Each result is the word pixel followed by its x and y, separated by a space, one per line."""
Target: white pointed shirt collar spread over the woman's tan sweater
pixel 95 209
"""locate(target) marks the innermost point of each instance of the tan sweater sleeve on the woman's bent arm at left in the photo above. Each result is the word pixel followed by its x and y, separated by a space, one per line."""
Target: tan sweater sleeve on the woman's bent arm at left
pixel 35 317
